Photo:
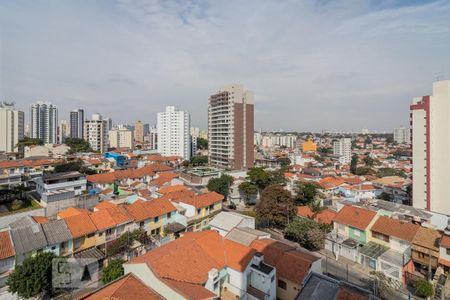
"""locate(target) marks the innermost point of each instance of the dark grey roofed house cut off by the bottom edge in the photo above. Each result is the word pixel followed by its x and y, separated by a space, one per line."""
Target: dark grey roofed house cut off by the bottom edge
pixel 321 287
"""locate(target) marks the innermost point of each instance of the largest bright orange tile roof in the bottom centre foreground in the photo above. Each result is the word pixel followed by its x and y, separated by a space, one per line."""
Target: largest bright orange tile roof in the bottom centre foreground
pixel 191 257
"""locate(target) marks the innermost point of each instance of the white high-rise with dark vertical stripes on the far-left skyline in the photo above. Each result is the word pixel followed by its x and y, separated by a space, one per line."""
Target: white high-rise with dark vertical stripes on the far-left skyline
pixel 44 122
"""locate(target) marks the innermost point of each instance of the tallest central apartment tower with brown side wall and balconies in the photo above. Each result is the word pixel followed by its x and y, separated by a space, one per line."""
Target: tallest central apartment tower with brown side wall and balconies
pixel 231 128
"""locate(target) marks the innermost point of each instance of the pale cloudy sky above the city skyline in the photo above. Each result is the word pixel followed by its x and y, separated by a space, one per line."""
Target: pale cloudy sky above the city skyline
pixel 337 65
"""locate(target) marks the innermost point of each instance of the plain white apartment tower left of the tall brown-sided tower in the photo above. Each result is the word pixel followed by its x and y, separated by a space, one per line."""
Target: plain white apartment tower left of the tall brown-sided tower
pixel 173 133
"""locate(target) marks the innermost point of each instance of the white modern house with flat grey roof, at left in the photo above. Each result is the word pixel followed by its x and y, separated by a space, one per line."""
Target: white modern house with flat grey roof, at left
pixel 53 188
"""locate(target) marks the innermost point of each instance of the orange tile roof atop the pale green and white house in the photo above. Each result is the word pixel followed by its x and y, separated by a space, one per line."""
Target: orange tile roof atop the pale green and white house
pixel 356 217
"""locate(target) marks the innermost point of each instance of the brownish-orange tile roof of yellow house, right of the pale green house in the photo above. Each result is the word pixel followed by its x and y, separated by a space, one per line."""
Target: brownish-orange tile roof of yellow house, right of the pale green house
pixel 396 228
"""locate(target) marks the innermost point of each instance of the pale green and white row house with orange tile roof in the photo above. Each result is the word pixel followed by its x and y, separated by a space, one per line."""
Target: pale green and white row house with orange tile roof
pixel 351 231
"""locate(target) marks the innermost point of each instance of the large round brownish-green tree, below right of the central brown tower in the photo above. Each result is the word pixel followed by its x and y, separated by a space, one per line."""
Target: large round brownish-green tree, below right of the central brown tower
pixel 276 206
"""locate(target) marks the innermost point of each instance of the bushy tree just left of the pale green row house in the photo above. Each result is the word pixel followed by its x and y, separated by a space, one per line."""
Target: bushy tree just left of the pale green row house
pixel 306 232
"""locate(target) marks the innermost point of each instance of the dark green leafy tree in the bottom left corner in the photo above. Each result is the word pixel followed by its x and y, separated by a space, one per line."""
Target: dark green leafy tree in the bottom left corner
pixel 33 276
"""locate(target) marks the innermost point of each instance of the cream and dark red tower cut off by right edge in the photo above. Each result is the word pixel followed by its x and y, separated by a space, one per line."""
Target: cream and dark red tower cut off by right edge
pixel 431 147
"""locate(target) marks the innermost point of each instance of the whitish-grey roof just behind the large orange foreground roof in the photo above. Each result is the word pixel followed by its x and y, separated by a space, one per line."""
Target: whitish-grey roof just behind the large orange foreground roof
pixel 225 221
